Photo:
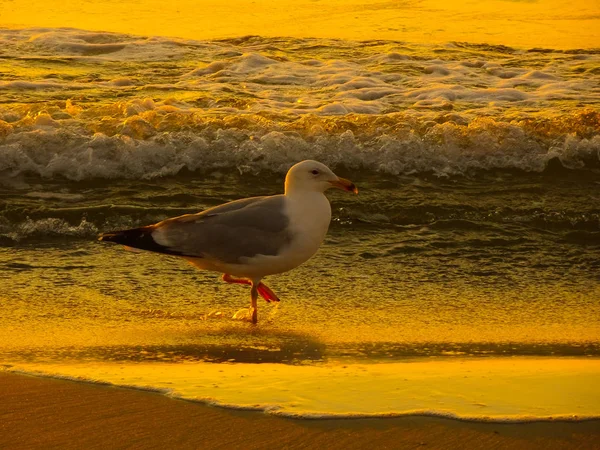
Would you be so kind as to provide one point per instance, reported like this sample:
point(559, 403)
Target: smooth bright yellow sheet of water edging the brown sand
point(481, 390)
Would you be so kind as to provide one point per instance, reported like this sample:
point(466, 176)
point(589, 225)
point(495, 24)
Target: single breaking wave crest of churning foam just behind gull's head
point(391, 144)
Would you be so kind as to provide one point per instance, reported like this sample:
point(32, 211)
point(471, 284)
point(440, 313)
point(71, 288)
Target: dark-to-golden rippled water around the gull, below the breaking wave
point(497, 264)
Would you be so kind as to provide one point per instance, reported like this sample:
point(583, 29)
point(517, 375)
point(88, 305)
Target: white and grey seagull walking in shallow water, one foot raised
point(250, 238)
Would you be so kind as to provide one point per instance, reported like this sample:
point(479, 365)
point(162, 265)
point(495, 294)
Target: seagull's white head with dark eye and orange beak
point(315, 177)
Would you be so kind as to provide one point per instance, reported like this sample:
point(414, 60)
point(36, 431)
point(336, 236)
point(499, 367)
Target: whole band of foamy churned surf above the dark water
point(144, 107)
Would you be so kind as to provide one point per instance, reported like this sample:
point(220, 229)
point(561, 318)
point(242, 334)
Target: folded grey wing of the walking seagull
point(229, 232)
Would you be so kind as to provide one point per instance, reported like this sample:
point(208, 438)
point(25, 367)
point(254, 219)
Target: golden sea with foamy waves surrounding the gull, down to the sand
point(462, 281)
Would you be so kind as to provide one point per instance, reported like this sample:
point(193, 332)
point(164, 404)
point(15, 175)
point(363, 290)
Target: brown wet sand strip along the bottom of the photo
point(52, 413)
